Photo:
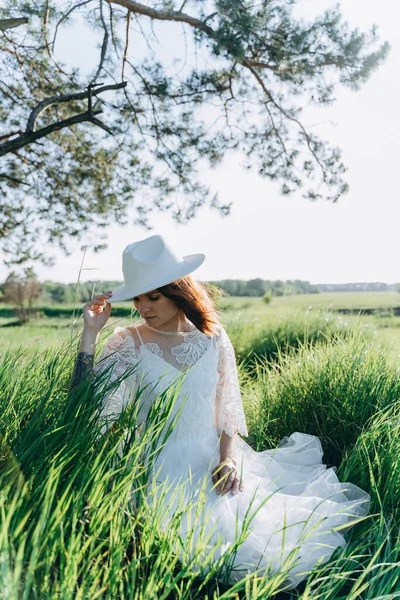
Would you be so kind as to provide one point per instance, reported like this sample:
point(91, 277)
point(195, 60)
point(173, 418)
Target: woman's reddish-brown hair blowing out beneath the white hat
point(196, 300)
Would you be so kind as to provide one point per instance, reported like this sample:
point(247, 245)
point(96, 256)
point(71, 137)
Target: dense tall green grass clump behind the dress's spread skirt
point(330, 390)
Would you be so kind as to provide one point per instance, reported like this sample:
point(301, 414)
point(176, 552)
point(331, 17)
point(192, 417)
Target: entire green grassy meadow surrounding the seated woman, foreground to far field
point(75, 523)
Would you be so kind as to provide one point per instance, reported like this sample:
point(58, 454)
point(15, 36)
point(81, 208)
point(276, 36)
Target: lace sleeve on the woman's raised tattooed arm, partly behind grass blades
point(118, 358)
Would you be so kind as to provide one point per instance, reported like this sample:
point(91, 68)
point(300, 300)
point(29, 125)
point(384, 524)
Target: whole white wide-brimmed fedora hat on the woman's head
point(150, 264)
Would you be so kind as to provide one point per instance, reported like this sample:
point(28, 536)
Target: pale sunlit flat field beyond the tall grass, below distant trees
point(240, 314)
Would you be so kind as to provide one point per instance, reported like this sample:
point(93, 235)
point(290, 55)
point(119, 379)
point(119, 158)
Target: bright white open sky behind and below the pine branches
point(272, 237)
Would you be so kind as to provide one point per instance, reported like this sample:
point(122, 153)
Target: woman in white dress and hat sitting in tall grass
point(296, 504)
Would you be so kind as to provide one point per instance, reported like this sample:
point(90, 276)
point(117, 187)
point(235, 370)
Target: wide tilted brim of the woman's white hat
point(186, 266)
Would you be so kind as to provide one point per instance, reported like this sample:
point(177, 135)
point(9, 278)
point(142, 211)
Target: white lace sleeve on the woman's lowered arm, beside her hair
point(229, 414)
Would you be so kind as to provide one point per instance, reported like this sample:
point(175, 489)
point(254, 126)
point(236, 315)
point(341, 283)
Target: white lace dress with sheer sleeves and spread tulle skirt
point(295, 508)
